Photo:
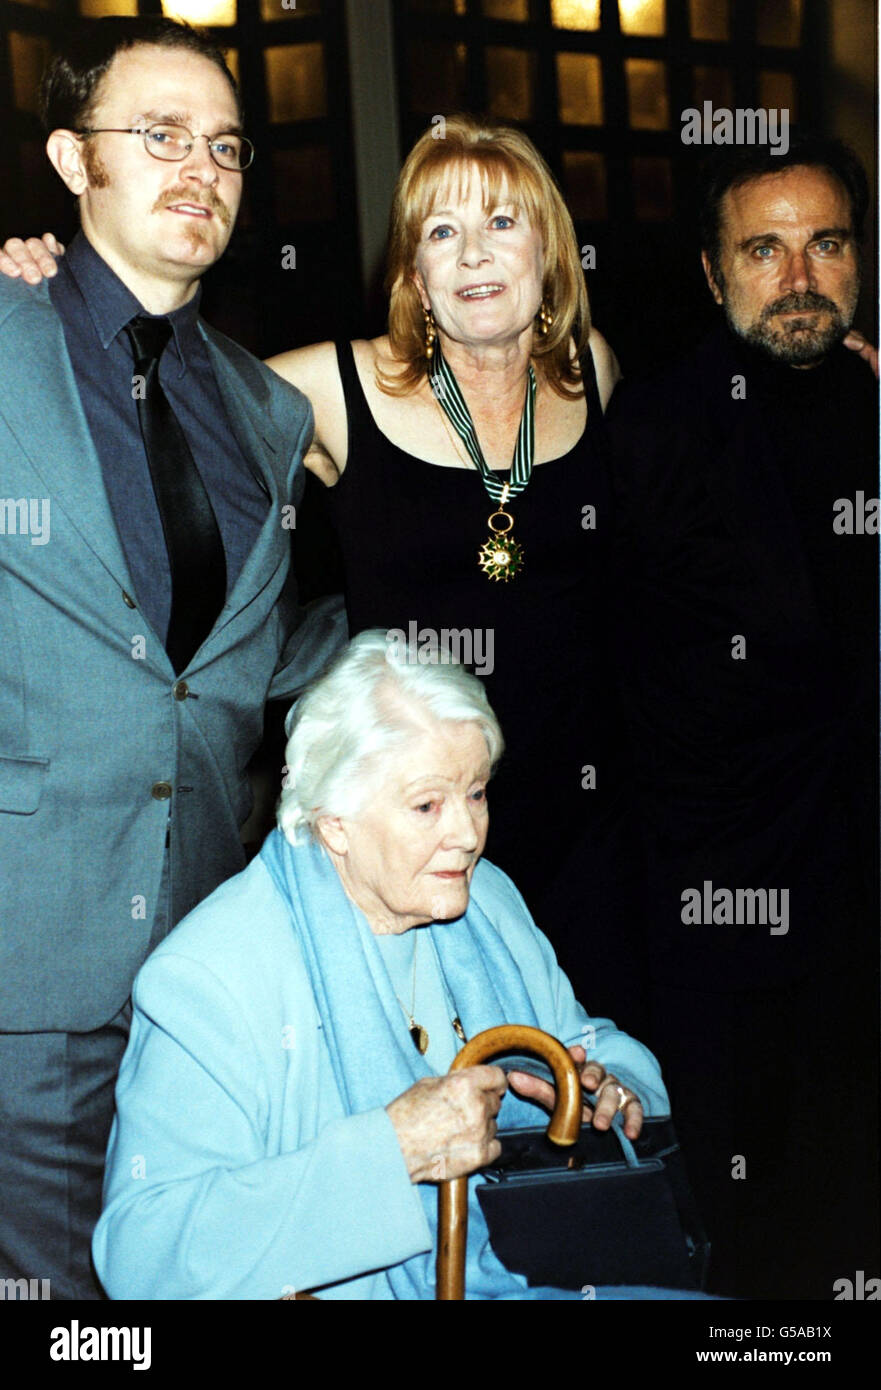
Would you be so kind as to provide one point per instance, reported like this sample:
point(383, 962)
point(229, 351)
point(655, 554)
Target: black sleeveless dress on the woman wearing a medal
point(411, 533)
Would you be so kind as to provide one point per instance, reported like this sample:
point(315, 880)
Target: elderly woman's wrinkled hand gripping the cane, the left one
point(447, 1125)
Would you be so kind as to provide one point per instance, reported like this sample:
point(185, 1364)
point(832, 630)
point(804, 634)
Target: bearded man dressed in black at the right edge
point(747, 487)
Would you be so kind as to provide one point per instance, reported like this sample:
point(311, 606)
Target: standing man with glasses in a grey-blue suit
point(147, 611)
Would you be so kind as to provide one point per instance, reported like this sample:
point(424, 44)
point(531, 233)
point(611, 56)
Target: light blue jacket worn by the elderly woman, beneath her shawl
point(234, 1171)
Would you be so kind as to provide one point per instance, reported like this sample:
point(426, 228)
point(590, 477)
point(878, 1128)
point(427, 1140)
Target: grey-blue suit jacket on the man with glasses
point(92, 717)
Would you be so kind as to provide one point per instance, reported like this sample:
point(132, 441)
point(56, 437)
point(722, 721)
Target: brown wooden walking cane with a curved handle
point(563, 1129)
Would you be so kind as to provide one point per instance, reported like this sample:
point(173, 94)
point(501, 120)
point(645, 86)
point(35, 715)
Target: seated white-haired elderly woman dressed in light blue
point(284, 1109)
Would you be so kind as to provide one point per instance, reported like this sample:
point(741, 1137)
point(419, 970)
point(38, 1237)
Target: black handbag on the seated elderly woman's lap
point(604, 1213)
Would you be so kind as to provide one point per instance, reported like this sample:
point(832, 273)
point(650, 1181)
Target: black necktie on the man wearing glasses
point(192, 537)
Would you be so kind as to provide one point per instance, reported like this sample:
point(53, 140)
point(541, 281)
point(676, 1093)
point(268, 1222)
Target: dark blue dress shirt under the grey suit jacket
point(95, 306)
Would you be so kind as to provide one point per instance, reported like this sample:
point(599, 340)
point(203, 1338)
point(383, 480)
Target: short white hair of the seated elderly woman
point(377, 694)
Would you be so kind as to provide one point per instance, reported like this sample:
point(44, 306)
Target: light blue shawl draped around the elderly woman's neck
point(372, 1054)
